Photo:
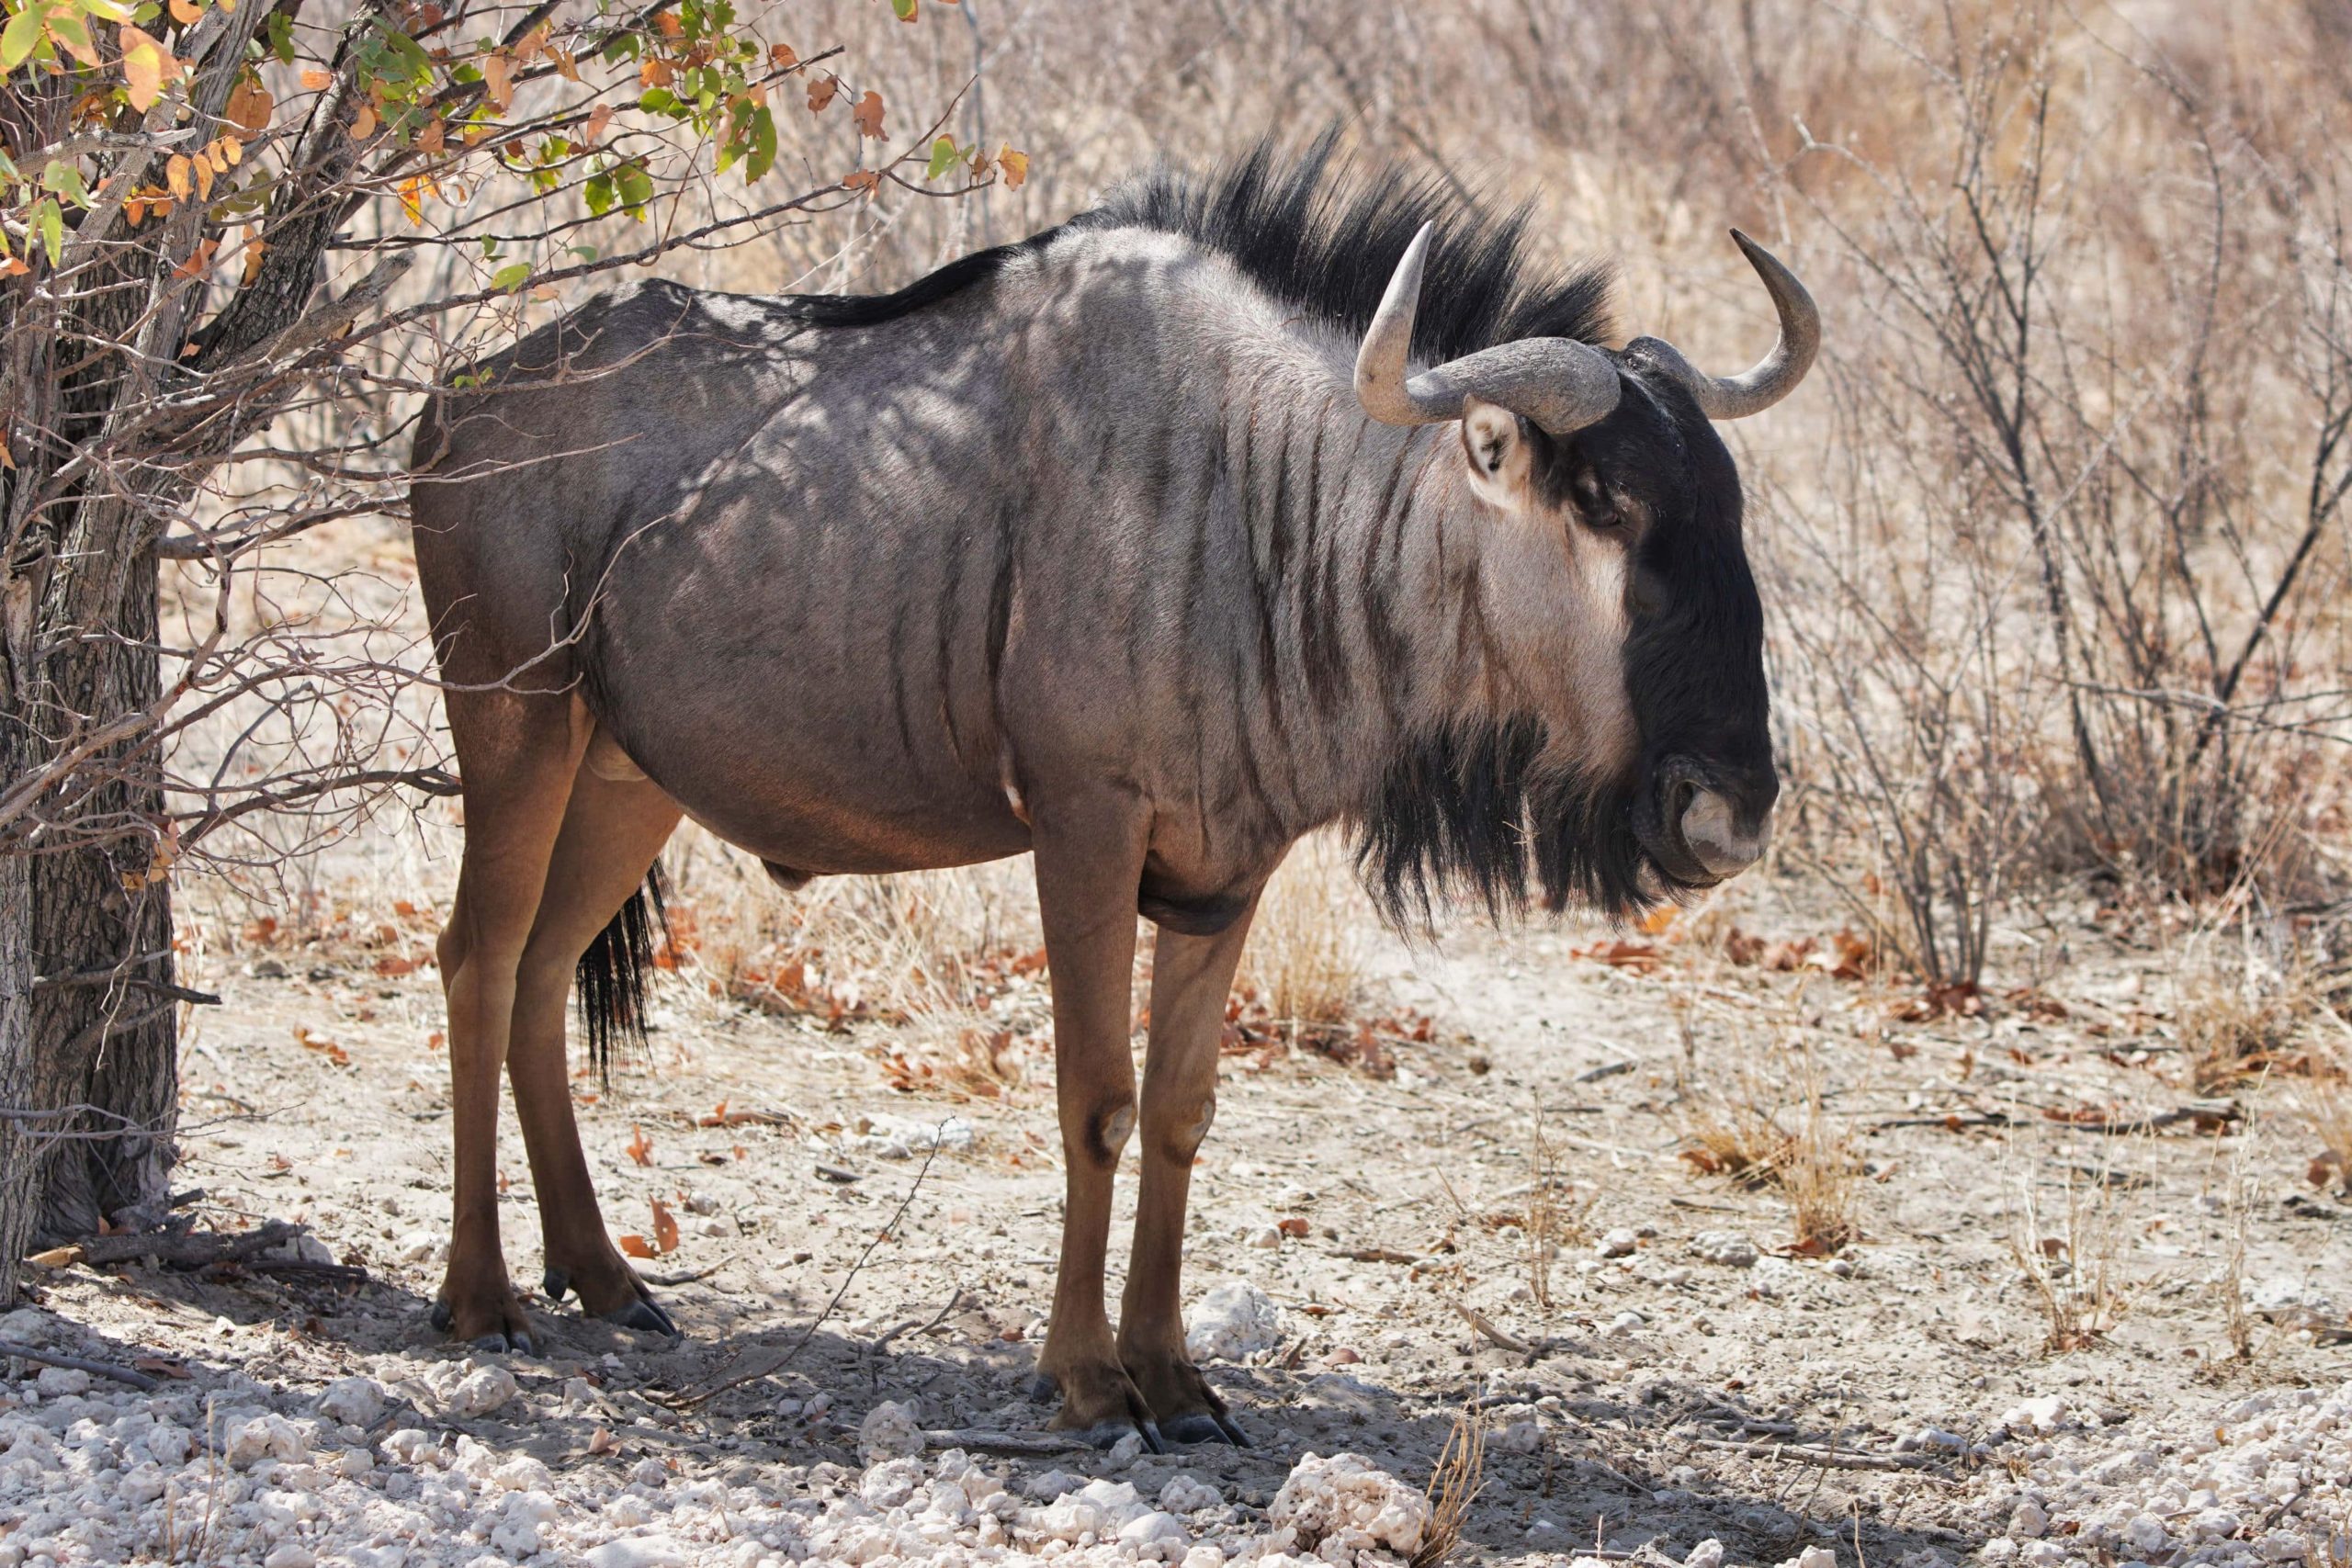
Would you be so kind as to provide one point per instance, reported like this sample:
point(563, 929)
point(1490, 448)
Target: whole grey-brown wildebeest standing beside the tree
point(1137, 547)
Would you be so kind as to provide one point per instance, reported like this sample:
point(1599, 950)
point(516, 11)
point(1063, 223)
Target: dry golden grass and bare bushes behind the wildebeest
point(2054, 542)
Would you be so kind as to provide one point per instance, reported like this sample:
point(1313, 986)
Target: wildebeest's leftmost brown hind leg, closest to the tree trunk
point(516, 758)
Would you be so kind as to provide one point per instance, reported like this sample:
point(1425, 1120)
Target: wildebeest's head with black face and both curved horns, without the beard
point(1619, 455)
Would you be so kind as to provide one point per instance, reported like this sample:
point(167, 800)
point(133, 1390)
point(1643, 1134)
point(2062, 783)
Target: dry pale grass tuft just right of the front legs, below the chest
point(1307, 946)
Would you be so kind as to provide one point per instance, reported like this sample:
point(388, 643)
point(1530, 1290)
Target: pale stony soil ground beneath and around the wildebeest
point(1612, 1423)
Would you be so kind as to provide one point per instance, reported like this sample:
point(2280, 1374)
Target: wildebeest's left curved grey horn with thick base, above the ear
point(1556, 382)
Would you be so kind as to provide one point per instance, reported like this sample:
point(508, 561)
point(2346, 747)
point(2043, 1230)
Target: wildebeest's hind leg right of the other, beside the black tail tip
point(608, 845)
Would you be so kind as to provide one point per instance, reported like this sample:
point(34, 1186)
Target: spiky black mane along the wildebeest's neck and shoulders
point(1323, 239)
